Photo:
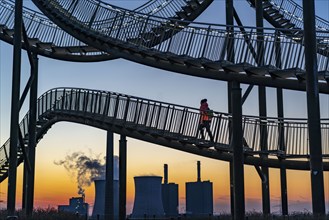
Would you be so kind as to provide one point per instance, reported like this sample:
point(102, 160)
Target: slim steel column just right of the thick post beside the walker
point(262, 105)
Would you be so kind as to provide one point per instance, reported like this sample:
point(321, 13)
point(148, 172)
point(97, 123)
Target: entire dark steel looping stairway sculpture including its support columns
point(283, 57)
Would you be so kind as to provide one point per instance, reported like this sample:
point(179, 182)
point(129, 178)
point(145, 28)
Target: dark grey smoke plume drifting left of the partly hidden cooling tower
point(86, 169)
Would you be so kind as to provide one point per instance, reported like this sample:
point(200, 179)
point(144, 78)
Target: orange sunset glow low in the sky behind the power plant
point(53, 185)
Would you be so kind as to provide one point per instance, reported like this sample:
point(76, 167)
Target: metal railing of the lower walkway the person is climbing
point(284, 137)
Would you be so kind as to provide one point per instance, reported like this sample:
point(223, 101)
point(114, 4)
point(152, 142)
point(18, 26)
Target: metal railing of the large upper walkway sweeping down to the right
point(197, 41)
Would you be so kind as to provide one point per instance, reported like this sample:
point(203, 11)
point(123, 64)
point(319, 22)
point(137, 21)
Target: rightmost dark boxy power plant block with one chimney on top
point(199, 196)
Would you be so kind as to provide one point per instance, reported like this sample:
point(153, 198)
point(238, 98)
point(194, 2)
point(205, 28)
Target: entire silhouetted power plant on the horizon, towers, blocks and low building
point(152, 199)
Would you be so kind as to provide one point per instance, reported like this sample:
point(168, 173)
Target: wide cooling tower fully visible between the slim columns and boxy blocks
point(148, 197)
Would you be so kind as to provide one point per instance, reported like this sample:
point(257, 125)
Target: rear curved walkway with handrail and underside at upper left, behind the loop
point(61, 45)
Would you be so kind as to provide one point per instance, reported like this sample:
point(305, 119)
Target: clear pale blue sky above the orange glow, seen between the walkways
point(135, 79)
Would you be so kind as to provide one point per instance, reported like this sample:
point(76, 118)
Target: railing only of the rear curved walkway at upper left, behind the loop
point(43, 30)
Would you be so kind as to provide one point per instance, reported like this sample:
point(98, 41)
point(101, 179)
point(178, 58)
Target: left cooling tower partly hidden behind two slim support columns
point(99, 204)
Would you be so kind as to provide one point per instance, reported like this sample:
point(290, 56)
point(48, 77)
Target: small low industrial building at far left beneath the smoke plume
point(76, 205)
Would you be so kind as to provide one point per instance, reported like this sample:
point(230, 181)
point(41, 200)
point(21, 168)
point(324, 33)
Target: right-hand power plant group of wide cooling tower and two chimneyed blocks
point(156, 200)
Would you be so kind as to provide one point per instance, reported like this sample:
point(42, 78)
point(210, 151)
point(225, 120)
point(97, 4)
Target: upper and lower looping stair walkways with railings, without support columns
point(162, 34)
